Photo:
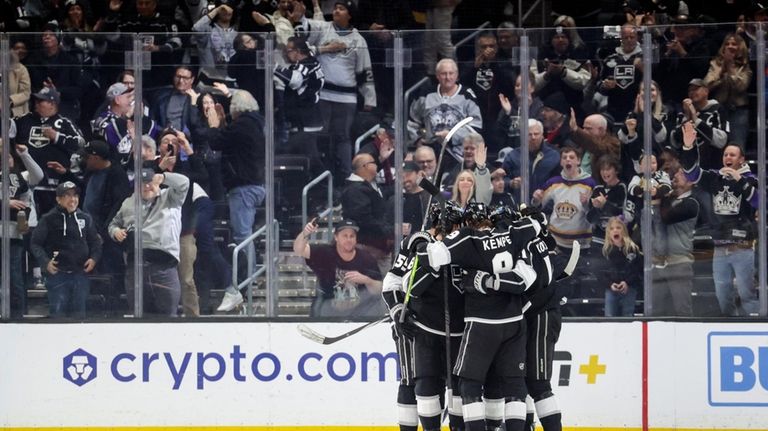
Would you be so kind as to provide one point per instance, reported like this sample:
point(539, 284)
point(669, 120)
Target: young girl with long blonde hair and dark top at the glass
point(621, 272)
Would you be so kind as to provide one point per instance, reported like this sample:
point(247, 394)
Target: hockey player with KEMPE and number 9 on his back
point(494, 334)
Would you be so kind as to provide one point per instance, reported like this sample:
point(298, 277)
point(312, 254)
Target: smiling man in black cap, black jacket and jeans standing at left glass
point(66, 244)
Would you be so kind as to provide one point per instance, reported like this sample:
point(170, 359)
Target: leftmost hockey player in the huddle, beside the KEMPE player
point(426, 295)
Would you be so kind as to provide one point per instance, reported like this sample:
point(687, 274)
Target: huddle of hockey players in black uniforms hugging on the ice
point(476, 314)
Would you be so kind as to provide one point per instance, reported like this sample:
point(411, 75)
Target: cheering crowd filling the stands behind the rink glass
point(74, 111)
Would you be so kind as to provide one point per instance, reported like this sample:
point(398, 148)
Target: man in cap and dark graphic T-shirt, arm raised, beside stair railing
point(348, 278)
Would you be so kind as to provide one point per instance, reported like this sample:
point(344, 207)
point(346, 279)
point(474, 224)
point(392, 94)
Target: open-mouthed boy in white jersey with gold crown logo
point(565, 199)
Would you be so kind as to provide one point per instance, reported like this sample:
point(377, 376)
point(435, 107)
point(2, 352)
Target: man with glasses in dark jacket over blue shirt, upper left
point(173, 106)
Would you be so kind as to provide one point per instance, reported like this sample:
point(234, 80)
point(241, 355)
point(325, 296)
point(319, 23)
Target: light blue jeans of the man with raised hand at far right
point(739, 263)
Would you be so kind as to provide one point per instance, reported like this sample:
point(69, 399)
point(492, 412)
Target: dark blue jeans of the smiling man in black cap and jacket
point(67, 294)
